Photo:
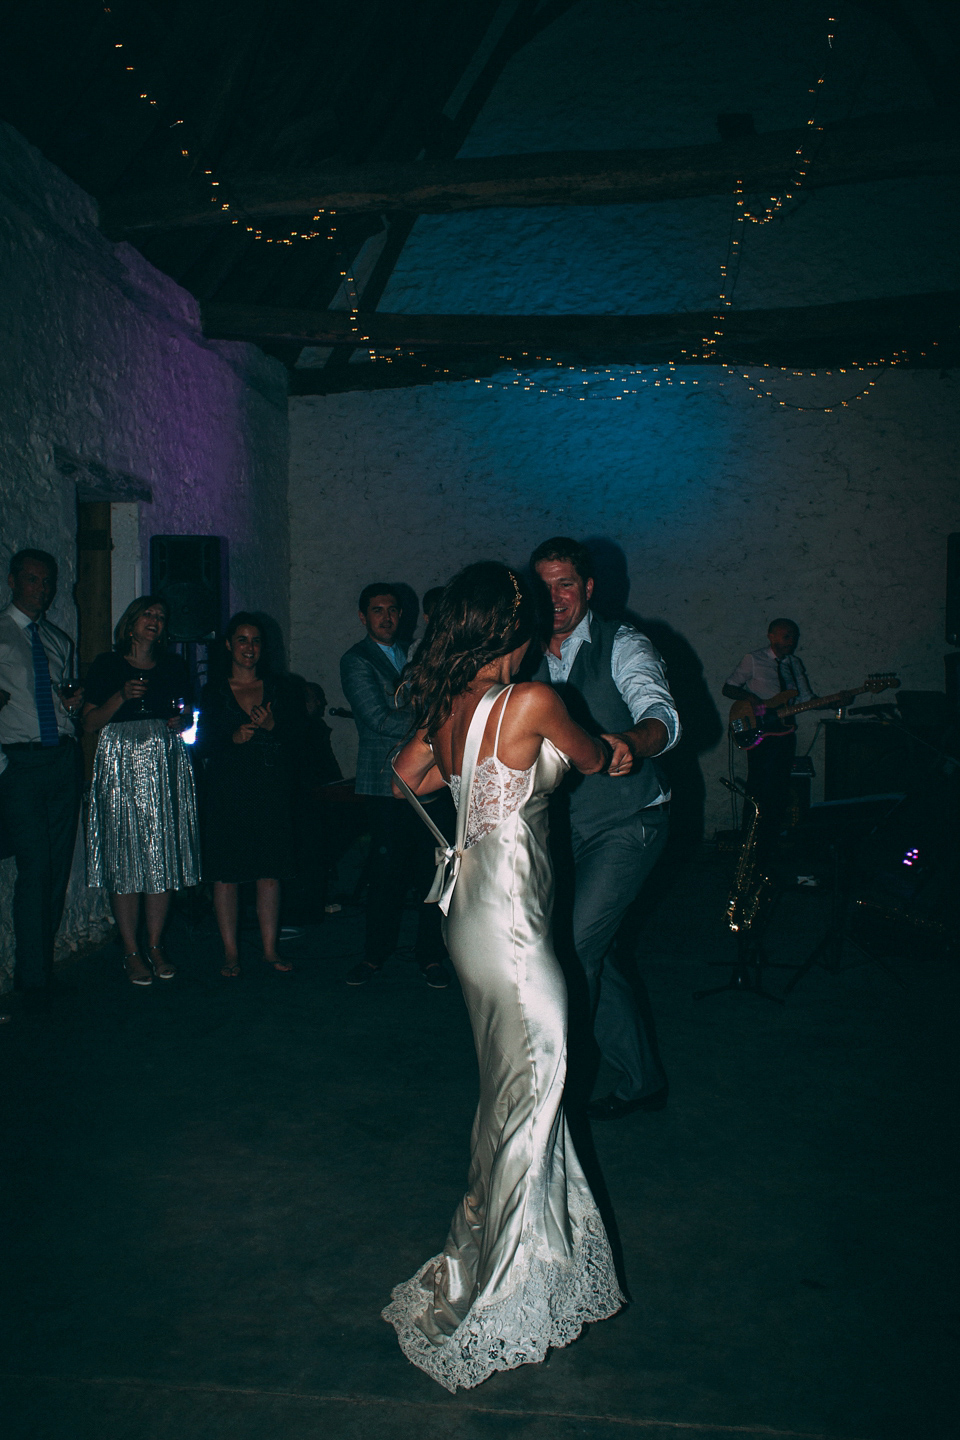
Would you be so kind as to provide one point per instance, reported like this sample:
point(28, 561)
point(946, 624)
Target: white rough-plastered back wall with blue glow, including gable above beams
point(726, 509)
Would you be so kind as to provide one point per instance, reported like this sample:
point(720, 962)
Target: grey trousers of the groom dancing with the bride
point(611, 868)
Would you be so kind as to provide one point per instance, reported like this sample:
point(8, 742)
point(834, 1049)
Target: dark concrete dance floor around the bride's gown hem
point(211, 1189)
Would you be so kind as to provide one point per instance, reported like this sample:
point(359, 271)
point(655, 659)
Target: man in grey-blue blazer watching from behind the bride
point(402, 850)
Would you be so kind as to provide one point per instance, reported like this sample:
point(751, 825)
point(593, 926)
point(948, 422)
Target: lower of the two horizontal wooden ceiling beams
point(851, 332)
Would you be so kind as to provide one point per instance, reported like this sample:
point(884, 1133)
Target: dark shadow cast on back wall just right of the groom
point(699, 716)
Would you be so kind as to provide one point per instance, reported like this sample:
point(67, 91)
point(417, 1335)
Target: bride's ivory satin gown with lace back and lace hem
point(527, 1261)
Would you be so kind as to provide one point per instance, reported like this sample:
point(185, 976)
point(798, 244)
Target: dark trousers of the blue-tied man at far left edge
point(40, 807)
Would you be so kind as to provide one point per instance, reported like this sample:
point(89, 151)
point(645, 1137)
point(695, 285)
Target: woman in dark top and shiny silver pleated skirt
point(142, 829)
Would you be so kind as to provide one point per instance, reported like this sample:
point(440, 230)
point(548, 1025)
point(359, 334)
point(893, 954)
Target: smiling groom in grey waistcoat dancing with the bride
point(612, 680)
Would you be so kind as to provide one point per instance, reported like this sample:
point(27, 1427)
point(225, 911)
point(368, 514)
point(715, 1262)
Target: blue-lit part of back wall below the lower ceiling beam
point(726, 512)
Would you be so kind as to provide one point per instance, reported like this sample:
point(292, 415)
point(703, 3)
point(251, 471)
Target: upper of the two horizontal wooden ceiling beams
point(877, 148)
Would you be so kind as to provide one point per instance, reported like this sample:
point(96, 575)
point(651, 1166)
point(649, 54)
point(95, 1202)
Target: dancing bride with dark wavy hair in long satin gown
point(527, 1261)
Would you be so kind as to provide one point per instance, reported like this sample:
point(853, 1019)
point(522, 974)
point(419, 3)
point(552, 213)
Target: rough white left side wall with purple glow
point(106, 358)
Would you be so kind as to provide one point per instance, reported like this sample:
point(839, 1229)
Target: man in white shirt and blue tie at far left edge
point(41, 771)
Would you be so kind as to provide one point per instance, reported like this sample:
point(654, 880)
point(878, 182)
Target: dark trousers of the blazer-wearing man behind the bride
point(402, 858)
